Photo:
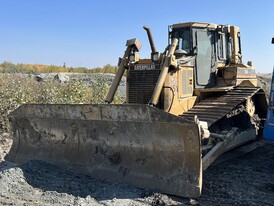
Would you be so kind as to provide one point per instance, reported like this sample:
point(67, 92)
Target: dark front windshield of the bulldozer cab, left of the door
point(183, 35)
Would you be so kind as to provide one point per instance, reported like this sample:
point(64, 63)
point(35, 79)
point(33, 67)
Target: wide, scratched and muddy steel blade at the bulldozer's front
point(136, 144)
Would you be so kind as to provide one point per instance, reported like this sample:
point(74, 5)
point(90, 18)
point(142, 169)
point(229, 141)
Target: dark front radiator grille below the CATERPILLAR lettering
point(141, 84)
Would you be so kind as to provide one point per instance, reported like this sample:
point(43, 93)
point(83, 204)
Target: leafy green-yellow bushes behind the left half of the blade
point(18, 89)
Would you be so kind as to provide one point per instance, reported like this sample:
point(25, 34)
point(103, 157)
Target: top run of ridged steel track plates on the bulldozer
point(215, 108)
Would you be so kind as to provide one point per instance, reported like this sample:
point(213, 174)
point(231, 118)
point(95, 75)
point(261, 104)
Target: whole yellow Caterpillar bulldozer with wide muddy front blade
point(184, 107)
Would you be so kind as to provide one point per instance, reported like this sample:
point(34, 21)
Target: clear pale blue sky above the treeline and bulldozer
point(93, 33)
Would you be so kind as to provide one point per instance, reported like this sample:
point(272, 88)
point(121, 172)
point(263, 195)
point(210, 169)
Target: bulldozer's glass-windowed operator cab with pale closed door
point(205, 47)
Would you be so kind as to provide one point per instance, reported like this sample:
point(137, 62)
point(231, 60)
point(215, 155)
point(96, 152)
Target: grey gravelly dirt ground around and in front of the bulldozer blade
point(246, 179)
